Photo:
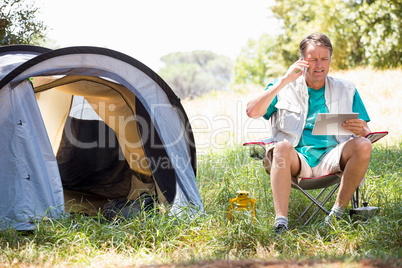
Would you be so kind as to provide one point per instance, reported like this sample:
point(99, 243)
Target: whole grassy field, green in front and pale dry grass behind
point(224, 166)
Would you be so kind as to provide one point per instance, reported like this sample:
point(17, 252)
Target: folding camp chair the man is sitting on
point(258, 149)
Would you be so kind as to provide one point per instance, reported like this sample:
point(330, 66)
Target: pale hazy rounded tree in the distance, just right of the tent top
point(192, 74)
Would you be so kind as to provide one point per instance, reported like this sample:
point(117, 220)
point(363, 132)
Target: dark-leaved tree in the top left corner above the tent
point(18, 24)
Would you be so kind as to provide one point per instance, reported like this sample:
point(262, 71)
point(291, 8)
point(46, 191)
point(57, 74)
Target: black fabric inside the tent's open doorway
point(97, 169)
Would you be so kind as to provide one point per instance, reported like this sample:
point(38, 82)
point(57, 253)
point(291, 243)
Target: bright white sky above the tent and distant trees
point(149, 29)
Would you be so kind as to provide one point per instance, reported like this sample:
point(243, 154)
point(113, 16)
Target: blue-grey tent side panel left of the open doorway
point(29, 172)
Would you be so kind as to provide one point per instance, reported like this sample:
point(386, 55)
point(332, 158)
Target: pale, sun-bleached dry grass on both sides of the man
point(219, 118)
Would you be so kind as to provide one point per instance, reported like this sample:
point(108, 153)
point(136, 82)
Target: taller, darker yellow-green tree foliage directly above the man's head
point(362, 32)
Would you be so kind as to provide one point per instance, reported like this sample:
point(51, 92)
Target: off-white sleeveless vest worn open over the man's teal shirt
point(292, 107)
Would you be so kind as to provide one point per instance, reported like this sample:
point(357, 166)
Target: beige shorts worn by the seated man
point(329, 164)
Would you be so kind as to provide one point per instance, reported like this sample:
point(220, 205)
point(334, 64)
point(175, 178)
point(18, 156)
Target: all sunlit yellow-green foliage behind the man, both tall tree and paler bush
point(363, 33)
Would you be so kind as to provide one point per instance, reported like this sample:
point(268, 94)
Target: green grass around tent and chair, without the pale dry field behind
point(156, 238)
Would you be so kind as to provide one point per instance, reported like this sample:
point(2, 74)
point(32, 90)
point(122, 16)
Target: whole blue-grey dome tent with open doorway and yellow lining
point(81, 126)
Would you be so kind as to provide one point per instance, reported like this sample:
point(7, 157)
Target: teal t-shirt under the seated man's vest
point(314, 147)
